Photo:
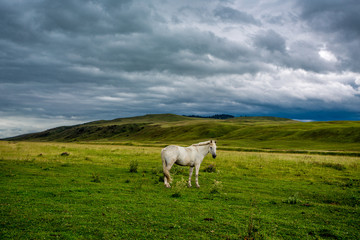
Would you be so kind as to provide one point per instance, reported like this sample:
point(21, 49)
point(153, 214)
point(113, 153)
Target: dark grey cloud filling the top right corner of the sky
point(339, 22)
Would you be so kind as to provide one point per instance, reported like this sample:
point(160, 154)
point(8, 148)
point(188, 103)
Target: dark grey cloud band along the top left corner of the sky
point(34, 19)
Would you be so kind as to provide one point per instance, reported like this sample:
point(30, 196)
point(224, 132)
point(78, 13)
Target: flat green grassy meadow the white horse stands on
point(54, 190)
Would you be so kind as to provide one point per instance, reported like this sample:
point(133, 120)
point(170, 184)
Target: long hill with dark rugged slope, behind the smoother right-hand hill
point(150, 127)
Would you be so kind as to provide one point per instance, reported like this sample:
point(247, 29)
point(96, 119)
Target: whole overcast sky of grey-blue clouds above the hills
point(67, 62)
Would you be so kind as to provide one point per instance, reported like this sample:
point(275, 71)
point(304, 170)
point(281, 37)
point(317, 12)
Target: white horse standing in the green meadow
point(191, 156)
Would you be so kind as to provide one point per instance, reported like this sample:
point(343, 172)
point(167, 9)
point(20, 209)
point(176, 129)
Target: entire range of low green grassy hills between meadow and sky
point(239, 133)
